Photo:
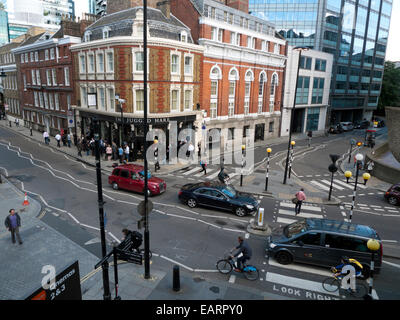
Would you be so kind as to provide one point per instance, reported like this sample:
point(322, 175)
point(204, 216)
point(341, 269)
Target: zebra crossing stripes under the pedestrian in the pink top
point(284, 212)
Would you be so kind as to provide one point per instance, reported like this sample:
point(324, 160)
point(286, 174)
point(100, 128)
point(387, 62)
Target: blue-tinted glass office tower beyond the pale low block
point(355, 32)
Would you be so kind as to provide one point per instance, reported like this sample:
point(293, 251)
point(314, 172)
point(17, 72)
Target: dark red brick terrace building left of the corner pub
point(44, 65)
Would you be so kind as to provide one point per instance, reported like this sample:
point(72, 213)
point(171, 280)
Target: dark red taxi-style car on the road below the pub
point(131, 177)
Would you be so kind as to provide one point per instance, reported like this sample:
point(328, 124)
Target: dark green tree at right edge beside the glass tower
point(390, 94)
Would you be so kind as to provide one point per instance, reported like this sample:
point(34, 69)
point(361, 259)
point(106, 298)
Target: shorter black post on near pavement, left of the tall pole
point(106, 283)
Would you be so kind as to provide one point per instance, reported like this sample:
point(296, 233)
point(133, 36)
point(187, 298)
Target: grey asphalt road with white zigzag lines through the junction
point(194, 238)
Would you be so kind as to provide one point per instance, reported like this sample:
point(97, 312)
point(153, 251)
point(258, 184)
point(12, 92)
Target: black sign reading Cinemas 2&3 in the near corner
point(67, 286)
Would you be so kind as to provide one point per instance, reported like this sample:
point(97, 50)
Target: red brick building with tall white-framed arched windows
point(243, 68)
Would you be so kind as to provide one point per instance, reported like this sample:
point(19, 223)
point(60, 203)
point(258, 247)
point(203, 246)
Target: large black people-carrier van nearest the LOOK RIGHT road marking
point(323, 242)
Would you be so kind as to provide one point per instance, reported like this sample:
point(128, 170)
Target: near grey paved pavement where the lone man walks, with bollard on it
point(21, 267)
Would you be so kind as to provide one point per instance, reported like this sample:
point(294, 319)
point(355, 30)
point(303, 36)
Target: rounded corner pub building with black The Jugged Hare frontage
point(109, 64)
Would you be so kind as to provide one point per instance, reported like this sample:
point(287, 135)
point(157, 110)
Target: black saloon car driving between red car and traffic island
point(218, 195)
